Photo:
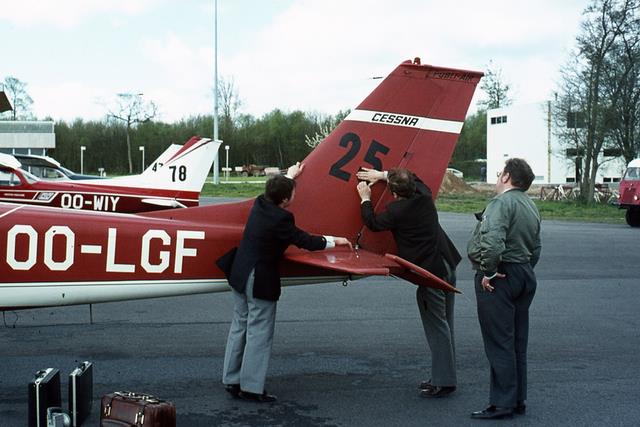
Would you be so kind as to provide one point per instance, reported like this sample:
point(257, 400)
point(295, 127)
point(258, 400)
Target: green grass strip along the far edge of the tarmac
point(563, 210)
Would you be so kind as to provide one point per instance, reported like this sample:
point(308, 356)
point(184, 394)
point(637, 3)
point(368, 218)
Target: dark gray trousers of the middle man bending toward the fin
point(436, 310)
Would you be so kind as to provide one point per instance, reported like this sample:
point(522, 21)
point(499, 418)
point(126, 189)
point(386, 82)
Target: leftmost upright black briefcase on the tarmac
point(44, 392)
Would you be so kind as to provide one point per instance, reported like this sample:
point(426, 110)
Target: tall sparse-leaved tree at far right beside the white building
point(593, 85)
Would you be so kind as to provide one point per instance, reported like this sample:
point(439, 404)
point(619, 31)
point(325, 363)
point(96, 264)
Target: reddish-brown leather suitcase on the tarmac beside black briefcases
point(127, 409)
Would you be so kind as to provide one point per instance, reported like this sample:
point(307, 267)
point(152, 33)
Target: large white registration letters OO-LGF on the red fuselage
point(26, 248)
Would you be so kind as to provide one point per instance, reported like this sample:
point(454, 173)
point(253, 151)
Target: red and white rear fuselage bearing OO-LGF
point(44, 260)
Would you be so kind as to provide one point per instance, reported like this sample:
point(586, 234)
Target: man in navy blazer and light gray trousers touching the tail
point(255, 280)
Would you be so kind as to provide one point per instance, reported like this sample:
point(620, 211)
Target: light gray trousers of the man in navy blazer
point(248, 350)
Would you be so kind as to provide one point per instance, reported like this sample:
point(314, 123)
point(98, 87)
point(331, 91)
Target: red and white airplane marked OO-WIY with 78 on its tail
point(175, 179)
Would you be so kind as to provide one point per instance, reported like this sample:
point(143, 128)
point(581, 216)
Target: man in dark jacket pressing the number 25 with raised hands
point(413, 220)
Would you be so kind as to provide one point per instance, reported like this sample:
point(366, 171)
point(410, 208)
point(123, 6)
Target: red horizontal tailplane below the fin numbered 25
point(364, 263)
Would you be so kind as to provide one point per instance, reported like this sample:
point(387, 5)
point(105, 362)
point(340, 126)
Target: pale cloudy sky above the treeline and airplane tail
point(312, 55)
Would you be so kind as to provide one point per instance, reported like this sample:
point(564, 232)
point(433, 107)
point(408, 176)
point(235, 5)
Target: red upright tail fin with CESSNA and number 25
point(411, 120)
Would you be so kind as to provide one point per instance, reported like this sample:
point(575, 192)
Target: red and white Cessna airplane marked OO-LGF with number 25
point(412, 119)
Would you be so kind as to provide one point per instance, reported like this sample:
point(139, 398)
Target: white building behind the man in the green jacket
point(527, 131)
